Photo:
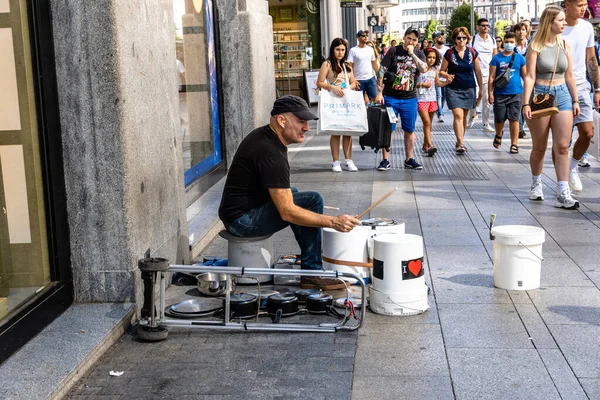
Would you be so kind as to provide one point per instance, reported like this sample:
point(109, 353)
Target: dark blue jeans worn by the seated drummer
point(265, 220)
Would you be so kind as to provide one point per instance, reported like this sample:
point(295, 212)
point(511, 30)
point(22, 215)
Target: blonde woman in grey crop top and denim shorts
point(542, 55)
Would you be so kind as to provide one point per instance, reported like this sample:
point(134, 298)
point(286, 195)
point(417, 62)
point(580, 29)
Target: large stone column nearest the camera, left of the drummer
point(117, 85)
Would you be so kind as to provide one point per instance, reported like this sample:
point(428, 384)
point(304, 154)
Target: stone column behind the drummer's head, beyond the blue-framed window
point(247, 68)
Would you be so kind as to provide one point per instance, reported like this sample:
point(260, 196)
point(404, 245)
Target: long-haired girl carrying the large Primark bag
point(332, 77)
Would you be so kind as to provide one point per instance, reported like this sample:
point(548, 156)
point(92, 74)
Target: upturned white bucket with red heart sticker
point(398, 277)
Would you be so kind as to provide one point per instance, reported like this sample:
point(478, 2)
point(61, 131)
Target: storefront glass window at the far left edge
point(24, 265)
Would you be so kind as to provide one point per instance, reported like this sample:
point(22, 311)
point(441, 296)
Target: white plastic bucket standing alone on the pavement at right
point(517, 256)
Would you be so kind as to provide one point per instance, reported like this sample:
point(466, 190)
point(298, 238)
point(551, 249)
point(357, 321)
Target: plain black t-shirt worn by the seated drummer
point(259, 164)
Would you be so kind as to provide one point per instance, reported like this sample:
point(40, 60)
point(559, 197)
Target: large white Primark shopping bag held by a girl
point(345, 115)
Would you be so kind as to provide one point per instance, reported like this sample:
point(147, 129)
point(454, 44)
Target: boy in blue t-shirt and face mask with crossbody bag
point(506, 92)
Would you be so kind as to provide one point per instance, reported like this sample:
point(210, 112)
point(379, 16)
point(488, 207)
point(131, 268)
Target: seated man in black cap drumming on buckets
point(258, 199)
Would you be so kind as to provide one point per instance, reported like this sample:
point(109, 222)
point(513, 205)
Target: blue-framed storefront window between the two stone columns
point(197, 84)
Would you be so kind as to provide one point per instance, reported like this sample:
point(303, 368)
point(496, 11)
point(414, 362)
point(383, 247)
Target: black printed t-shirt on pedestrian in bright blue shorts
point(400, 80)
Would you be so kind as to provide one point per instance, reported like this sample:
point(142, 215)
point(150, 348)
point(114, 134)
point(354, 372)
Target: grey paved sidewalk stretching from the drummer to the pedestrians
point(475, 342)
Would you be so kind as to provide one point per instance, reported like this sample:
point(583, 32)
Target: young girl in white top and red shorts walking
point(427, 83)
